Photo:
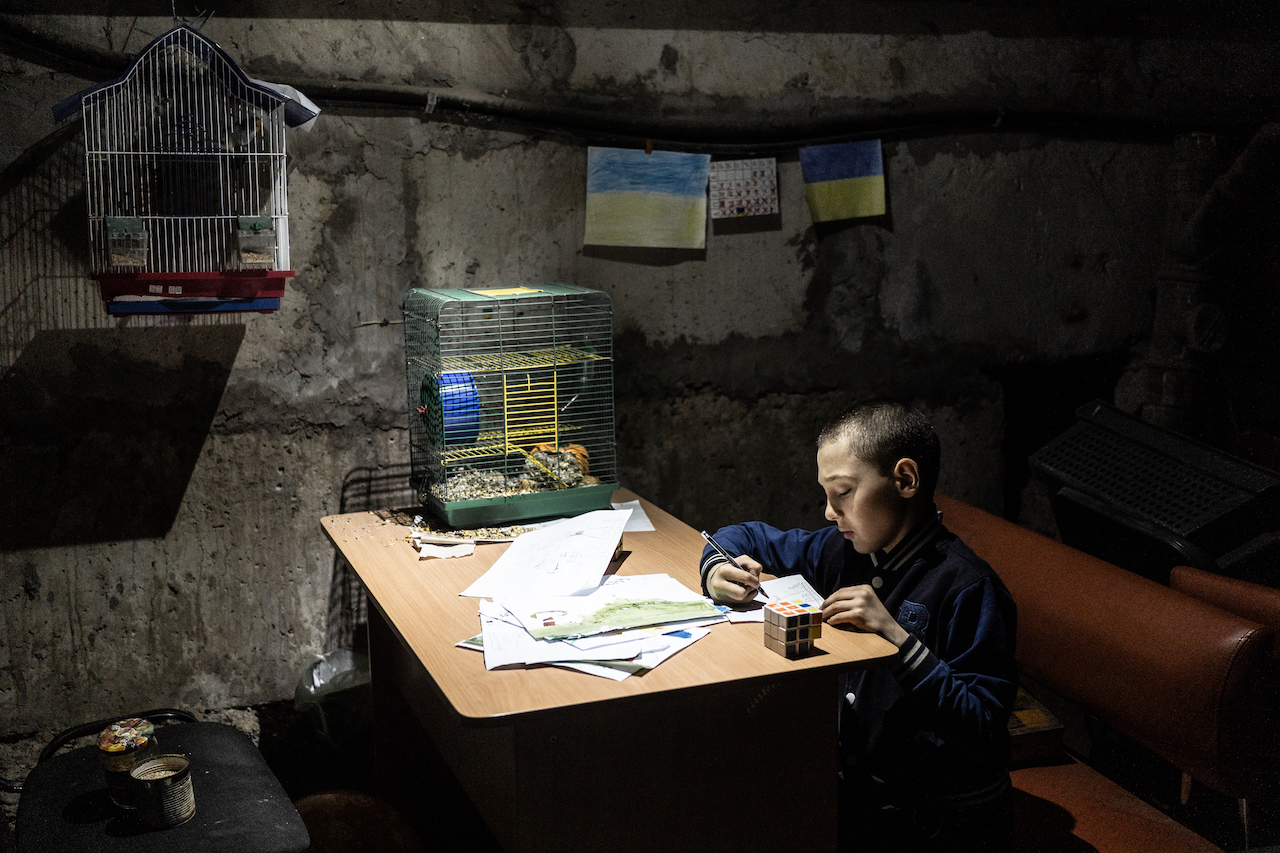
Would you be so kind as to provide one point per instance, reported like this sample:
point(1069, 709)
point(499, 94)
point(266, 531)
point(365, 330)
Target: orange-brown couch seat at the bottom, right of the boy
point(1067, 806)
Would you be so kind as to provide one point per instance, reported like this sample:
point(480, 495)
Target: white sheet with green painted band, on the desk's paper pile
point(621, 601)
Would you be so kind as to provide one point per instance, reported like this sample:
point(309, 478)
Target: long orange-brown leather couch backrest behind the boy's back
point(1173, 673)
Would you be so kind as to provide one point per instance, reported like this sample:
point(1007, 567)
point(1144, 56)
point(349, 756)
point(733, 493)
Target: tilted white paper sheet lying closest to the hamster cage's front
point(564, 559)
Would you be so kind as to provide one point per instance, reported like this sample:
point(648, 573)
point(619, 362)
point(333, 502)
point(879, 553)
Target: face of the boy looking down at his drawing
point(870, 508)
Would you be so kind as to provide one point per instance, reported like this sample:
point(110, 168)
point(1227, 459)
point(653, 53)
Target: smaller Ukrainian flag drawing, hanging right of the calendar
point(844, 181)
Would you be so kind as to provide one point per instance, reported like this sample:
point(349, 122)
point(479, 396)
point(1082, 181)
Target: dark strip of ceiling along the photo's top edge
point(1235, 20)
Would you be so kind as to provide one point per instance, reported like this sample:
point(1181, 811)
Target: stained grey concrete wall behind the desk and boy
point(1025, 244)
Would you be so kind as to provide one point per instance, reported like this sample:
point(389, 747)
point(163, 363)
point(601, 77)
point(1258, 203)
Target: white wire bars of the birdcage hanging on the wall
point(185, 148)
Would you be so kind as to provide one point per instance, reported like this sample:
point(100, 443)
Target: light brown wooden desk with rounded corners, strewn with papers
point(726, 746)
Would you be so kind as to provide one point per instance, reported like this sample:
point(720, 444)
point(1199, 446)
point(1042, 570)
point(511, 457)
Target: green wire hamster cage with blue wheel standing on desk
point(511, 402)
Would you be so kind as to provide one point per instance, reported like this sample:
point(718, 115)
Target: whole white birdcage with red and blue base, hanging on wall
point(186, 181)
